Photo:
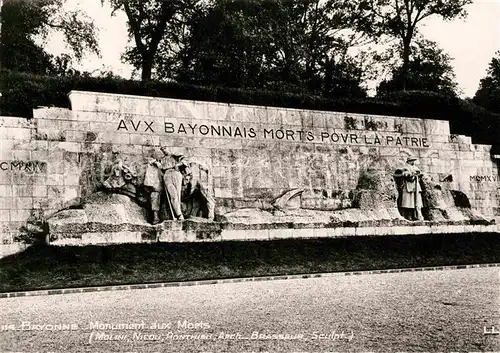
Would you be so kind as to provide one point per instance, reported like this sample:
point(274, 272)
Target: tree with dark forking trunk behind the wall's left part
point(152, 25)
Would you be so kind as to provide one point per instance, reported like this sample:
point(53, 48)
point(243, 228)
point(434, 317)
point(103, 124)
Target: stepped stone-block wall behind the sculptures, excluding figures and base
point(248, 157)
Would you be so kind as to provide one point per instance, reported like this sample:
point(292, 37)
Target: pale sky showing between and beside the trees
point(471, 42)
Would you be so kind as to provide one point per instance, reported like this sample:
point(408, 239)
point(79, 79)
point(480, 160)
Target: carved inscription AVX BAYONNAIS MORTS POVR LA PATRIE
point(209, 130)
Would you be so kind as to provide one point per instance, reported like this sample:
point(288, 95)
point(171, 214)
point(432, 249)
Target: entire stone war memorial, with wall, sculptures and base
point(131, 169)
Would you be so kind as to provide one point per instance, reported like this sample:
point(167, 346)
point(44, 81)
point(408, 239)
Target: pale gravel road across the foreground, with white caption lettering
point(412, 311)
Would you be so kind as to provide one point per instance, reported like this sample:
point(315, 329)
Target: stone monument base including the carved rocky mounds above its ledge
point(112, 218)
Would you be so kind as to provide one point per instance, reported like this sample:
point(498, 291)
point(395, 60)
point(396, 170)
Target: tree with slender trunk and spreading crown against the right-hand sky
point(400, 19)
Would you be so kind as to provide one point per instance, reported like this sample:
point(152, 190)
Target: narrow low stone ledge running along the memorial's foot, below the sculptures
point(194, 231)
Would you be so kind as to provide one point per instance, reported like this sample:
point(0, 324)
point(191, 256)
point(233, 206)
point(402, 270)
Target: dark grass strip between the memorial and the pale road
point(44, 267)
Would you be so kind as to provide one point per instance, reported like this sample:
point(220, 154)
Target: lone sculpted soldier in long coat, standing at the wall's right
point(411, 191)
